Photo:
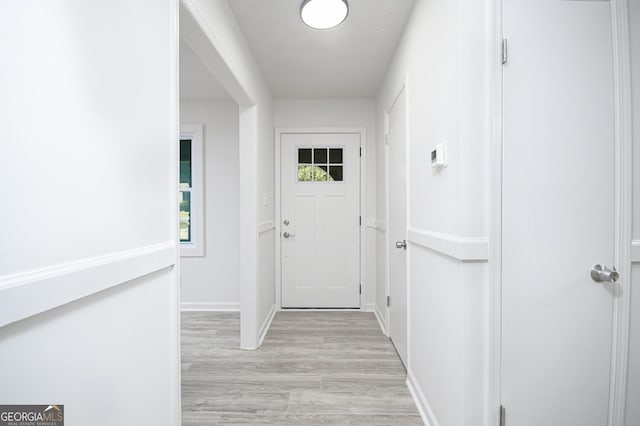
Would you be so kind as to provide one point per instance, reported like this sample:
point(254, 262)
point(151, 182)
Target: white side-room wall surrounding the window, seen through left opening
point(213, 281)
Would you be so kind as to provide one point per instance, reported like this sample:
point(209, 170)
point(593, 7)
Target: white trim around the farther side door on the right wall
point(403, 87)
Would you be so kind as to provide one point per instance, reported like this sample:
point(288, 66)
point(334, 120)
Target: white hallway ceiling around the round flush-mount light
point(348, 61)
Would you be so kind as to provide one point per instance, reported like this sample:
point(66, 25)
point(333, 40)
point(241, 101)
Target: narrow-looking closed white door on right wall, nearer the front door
point(397, 225)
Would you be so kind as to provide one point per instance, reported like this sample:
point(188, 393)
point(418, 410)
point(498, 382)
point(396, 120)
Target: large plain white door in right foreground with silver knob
point(558, 212)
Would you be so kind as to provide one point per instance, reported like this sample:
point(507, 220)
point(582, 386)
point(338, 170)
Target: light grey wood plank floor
point(314, 368)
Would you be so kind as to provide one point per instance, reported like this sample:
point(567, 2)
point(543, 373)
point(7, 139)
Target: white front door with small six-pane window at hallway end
point(320, 213)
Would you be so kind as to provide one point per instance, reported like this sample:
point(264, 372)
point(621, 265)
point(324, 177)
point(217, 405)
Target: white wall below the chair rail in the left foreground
point(110, 349)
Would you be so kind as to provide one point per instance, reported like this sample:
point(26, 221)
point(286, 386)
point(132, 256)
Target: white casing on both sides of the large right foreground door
point(622, 211)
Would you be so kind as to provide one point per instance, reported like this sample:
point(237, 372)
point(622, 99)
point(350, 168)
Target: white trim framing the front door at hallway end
point(363, 191)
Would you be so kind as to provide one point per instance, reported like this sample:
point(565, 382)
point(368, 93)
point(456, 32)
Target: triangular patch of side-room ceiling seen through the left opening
point(196, 82)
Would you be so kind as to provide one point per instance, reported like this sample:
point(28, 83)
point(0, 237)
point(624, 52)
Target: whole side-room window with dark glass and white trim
point(191, 191)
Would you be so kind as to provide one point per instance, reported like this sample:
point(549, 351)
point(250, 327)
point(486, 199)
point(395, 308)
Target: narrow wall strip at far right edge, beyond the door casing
point(633, 396)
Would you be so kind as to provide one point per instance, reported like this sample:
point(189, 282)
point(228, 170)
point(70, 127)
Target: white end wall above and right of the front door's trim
point(354, 113)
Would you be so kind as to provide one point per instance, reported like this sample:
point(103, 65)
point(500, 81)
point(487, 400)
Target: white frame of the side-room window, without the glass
point(195, 247)
